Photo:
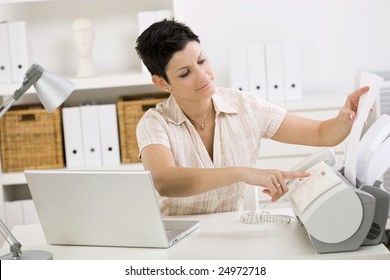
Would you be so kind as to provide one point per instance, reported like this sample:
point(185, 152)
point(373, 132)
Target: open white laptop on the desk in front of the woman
point(102, 208)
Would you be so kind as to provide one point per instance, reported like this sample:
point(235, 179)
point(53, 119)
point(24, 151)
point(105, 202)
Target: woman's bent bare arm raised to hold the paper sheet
point(299, 130)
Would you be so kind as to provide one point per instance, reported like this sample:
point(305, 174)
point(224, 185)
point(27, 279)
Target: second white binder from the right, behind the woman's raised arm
point(274, 64)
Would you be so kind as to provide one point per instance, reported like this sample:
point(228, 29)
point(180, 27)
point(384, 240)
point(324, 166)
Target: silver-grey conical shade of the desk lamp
point(53, 90)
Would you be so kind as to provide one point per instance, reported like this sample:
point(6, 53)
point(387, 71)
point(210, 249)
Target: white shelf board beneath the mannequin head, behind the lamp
point(98, 82)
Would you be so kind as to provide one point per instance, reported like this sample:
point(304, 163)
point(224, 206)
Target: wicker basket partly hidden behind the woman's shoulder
point(130, 111)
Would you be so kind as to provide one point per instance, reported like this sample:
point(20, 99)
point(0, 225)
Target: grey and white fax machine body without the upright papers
point(338, 216)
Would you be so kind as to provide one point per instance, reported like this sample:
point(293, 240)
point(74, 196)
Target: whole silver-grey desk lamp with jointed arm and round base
point(52, 91)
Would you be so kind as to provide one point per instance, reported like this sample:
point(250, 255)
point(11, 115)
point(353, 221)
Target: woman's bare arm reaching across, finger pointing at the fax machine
point(173, 181)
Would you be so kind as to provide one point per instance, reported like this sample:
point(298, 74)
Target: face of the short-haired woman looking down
point(190, 73)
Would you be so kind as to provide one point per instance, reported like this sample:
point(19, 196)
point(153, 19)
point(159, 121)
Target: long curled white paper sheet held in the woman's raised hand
point(366, 101)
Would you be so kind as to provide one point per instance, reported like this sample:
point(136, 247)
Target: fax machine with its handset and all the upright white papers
point(342, 210)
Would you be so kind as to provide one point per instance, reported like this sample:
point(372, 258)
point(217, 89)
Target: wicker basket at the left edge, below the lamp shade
point(31, 138)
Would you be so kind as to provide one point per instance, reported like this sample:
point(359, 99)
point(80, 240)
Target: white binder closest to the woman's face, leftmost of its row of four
point(239, 78)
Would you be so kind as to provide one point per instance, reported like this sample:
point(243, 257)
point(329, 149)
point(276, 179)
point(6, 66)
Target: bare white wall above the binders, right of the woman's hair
point(339, 38)
